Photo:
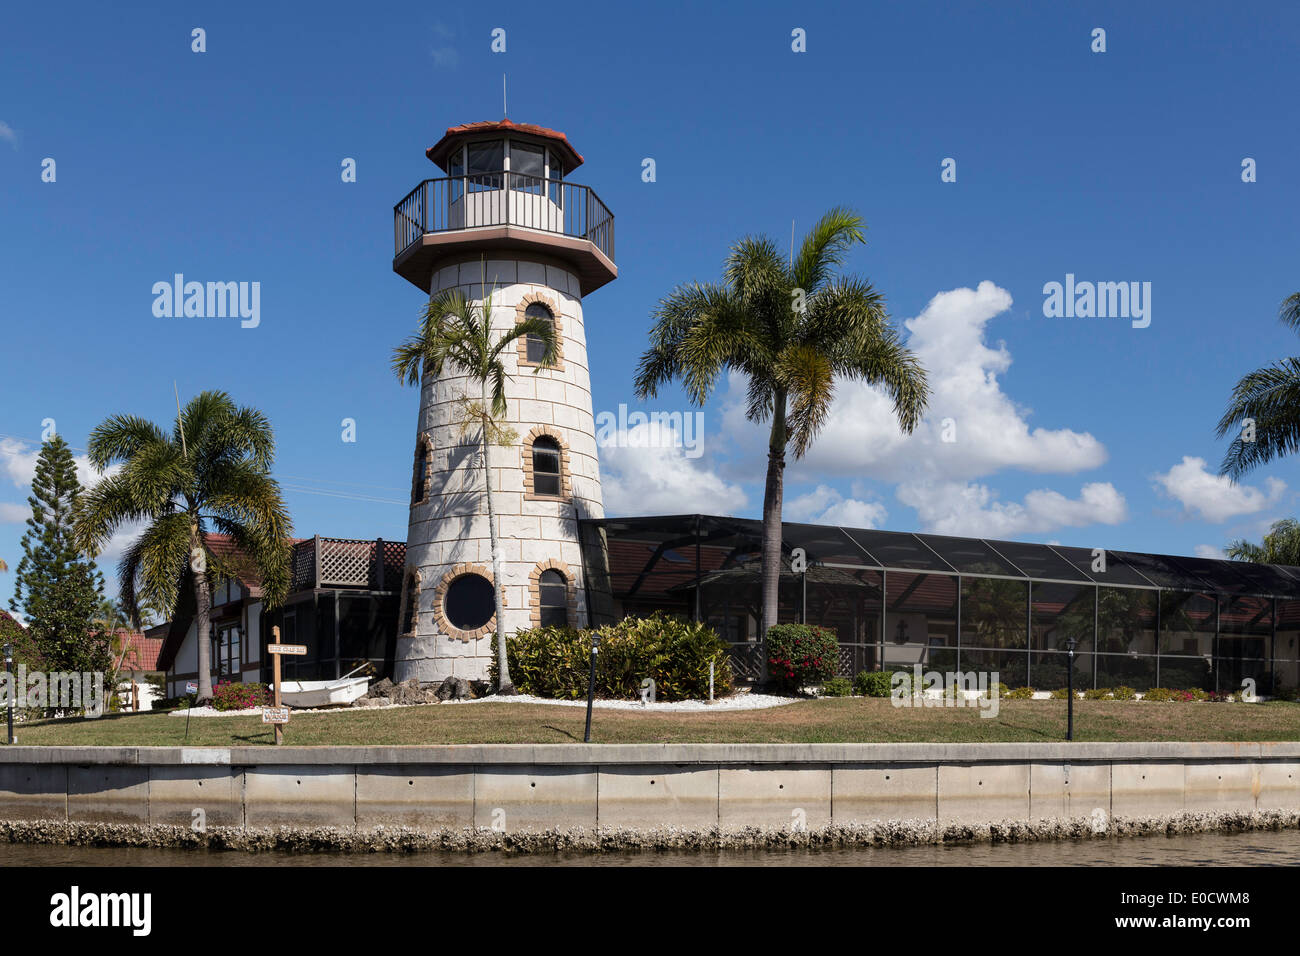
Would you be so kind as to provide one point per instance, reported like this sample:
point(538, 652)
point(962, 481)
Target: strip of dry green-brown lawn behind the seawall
point(856, 720)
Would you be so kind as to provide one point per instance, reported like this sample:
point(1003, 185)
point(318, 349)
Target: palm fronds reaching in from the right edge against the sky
point(1271, 399)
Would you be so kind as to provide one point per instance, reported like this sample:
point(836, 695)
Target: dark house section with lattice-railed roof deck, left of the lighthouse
point(343, 605)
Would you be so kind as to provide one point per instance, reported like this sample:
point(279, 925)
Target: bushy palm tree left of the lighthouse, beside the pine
point(213, 471)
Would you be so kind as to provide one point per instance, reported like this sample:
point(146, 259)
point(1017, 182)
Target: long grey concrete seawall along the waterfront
point(720, 789)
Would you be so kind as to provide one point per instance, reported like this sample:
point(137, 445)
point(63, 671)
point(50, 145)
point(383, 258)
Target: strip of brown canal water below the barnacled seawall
point(1260, 849)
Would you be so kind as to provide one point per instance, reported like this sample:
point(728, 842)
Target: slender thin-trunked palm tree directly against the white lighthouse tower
point(457, 331)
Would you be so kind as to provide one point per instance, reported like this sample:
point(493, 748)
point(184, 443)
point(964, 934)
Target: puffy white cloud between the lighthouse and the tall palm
point(645, 471)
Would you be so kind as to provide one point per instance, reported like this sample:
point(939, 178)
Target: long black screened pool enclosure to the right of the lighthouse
point(896, 600)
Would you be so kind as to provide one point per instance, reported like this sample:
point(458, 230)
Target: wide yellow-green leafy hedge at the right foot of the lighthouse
point(554, 663)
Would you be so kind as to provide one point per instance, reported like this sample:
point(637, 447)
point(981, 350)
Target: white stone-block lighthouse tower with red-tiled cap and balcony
point(504, 219)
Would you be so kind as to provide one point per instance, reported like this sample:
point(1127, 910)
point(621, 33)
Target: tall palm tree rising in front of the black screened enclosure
point(794, 330)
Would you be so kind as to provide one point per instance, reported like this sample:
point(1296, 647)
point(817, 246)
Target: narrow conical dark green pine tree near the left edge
point(58, 589)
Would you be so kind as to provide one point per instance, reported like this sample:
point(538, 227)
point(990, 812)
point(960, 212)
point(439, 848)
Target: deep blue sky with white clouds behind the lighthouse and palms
point(1124, 166)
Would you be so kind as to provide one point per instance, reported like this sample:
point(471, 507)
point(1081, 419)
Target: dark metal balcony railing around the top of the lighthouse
point(504, 198)
